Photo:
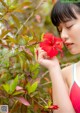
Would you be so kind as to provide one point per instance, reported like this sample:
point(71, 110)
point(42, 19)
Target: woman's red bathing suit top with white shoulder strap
point(75, 92)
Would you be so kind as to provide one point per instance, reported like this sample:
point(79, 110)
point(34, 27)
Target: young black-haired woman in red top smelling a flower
point(65, 82)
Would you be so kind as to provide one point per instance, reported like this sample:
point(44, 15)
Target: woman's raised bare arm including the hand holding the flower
point(59, 90)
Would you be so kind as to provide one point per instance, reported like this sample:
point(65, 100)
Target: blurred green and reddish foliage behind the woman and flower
point(24, 85)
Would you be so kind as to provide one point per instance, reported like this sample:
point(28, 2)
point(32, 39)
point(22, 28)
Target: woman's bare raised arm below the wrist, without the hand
point(60, 91)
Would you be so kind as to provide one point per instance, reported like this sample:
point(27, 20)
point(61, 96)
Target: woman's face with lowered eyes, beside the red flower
point(70, 33)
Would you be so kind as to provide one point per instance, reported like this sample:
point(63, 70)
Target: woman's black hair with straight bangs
point(61, 12)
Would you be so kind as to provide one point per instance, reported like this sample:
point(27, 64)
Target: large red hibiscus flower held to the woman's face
point(51, 44)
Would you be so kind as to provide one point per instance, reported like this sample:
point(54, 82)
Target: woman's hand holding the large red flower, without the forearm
point(45, 61)
